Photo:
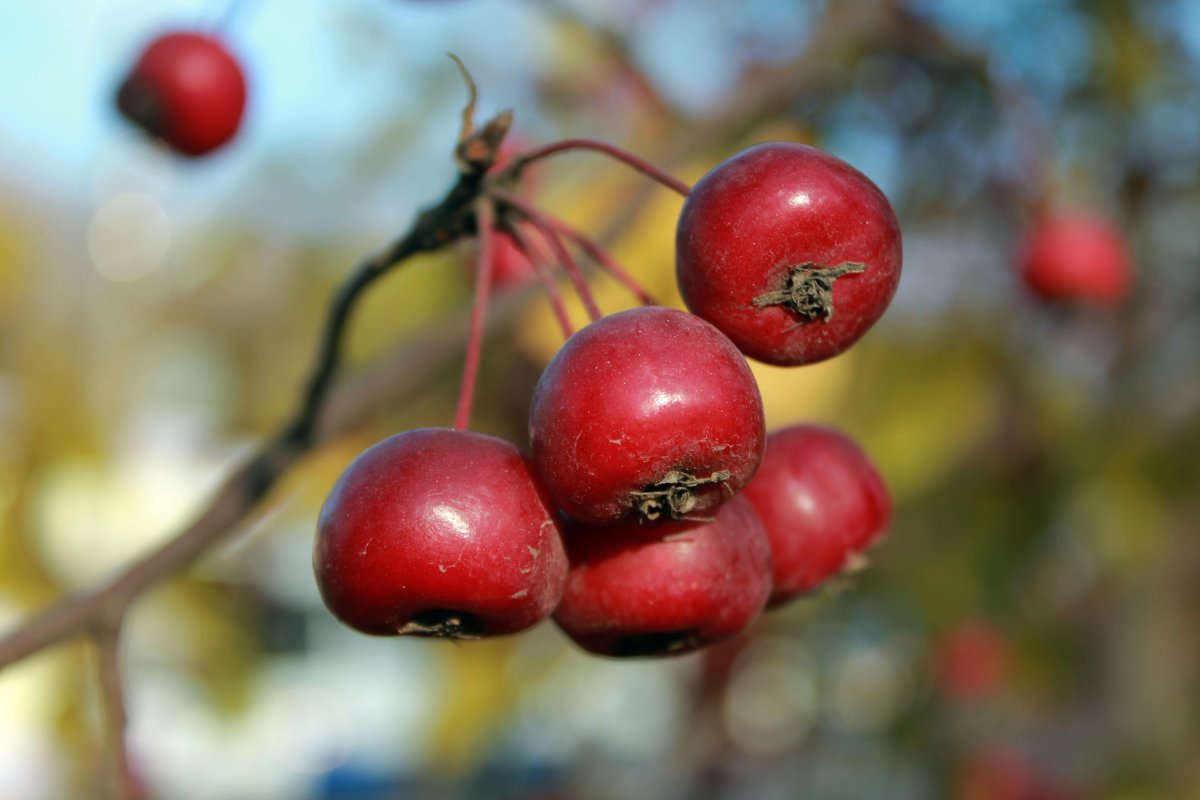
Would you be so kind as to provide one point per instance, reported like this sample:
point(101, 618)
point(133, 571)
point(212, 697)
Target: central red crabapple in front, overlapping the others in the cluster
point(650, 413)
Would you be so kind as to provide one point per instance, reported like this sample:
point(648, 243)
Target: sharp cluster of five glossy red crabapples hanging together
point(653, 514)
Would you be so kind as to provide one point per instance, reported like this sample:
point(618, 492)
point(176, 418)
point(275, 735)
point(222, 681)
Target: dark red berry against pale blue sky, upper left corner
point(188, 91)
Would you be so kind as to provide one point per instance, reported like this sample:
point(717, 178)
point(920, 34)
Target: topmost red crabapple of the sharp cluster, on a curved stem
point(790, 251)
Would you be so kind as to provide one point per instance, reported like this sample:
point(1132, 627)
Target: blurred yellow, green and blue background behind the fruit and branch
point(1030, 630)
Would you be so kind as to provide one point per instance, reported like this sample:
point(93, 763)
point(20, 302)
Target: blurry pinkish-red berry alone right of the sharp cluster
point(1076, 257)
